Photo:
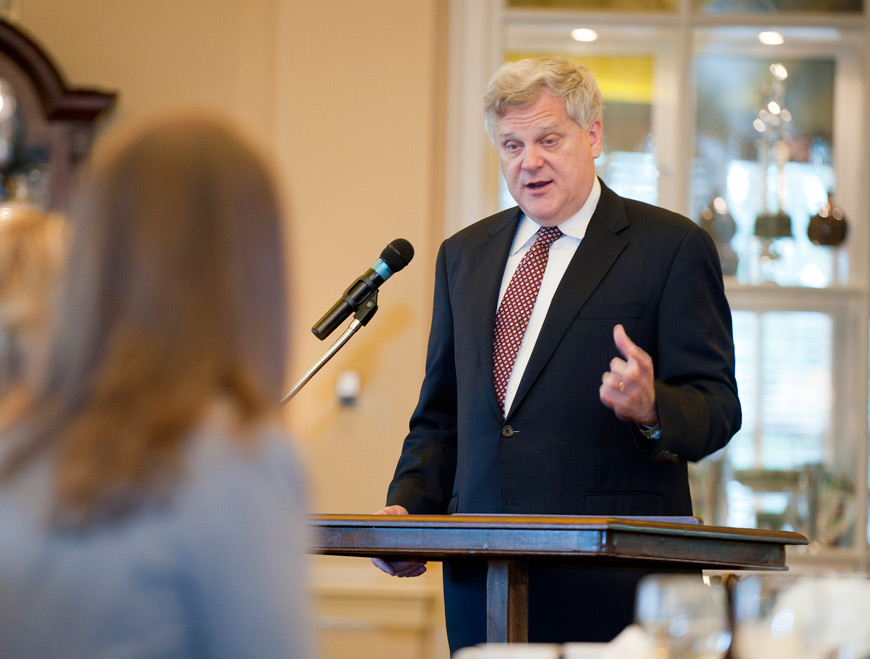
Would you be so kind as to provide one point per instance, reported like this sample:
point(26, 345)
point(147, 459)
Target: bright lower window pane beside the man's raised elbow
point(778, 472)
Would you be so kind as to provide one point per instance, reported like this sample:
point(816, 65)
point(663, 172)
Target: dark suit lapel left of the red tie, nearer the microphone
point(489, 262)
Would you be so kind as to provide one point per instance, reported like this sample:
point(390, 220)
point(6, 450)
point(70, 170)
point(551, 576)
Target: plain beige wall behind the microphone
point(349, 97)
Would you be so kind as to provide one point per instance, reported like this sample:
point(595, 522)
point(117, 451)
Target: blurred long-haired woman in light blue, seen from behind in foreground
point(150, 503)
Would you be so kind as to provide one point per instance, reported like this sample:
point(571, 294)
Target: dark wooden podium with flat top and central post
point(509, 543)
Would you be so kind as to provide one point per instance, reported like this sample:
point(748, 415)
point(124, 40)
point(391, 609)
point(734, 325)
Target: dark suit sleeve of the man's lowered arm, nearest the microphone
point(423, 481)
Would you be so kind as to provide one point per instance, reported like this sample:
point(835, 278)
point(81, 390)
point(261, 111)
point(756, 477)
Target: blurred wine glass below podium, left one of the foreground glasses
point(686, 617)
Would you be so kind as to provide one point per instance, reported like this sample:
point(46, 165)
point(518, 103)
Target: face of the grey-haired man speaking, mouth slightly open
point(547, 159)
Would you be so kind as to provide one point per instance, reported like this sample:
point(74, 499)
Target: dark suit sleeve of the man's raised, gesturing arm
point(696, 391)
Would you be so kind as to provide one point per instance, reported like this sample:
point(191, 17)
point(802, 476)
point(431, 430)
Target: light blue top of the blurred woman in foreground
point(218, 572)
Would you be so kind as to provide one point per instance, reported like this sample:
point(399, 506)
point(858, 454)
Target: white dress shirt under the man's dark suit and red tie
point(561, 253)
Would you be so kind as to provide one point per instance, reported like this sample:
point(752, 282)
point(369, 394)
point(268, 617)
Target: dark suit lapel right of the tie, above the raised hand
point(595, 255)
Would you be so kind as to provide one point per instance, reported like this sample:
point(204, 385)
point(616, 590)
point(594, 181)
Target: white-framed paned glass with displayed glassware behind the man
point(765, 146)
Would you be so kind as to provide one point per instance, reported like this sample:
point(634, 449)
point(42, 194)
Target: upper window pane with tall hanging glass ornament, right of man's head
point(764, 146)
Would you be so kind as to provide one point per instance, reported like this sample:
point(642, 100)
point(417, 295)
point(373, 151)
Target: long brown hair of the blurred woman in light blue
point(174, 293)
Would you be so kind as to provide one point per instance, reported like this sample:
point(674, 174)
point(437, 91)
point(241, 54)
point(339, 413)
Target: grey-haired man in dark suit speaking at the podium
point(624, 369)
